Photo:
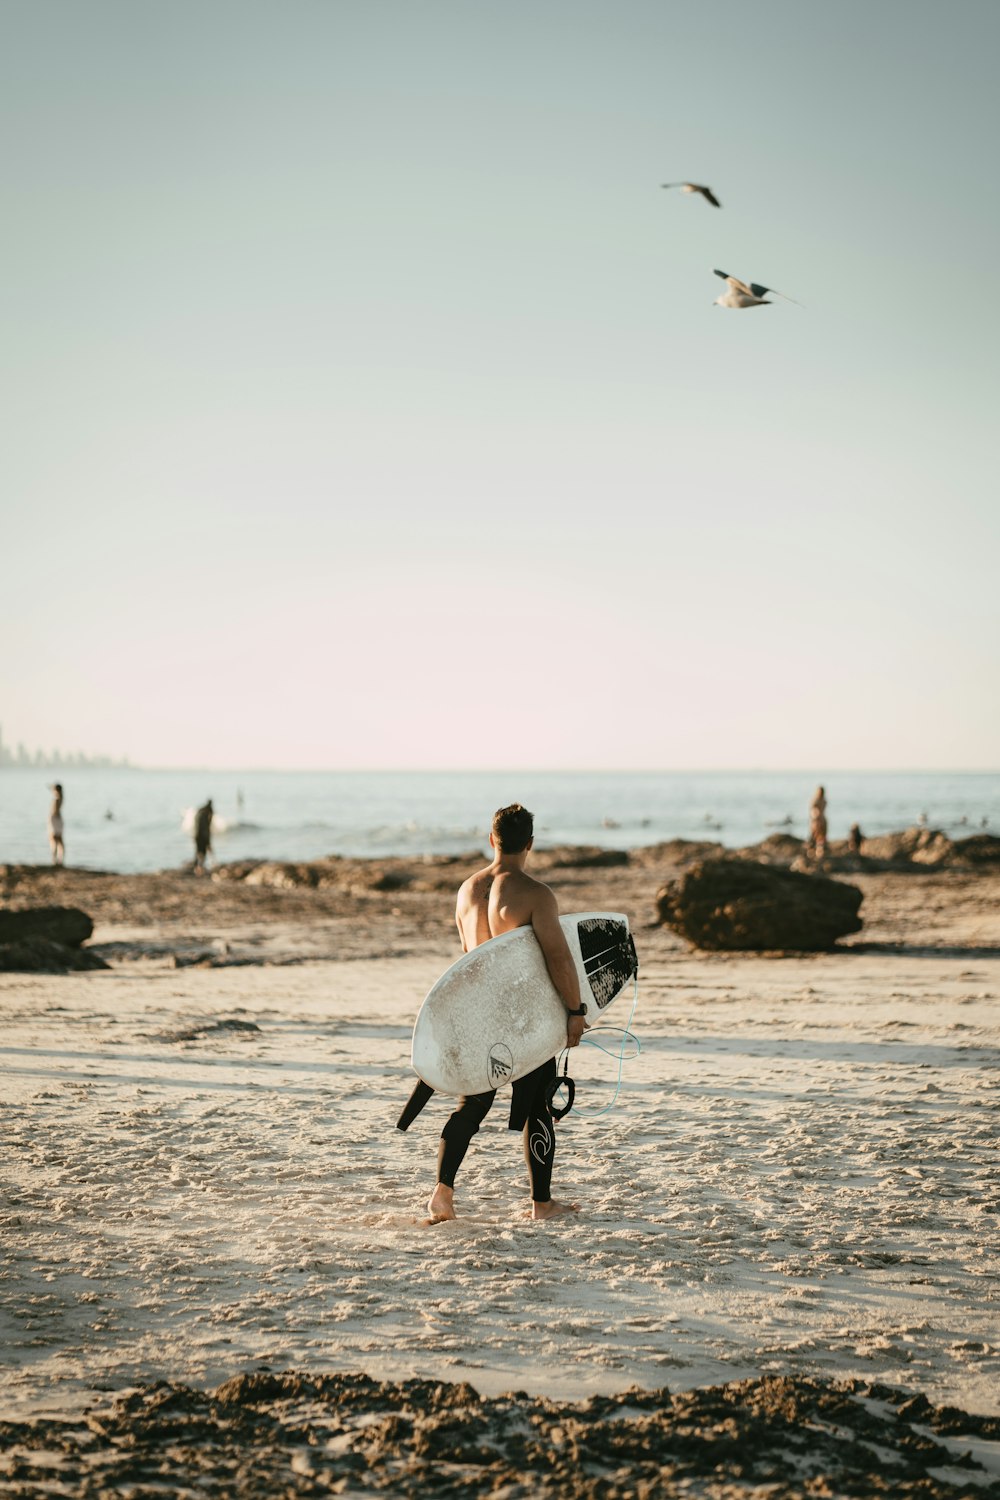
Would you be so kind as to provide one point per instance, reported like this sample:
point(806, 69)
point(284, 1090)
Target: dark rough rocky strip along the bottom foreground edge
point(266, 1435)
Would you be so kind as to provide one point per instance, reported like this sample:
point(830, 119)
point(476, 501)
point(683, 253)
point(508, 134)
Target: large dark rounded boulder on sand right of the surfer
point(741, 905)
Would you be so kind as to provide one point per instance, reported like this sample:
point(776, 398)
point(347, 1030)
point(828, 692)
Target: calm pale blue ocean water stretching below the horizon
point(128, 820)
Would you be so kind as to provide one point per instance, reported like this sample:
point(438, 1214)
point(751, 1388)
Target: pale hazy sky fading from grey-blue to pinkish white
point(367, 404)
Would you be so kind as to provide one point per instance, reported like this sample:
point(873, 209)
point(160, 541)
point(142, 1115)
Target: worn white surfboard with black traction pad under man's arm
point(497, 1015)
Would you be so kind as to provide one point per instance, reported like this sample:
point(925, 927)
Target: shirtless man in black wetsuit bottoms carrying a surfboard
point(493, 902)
